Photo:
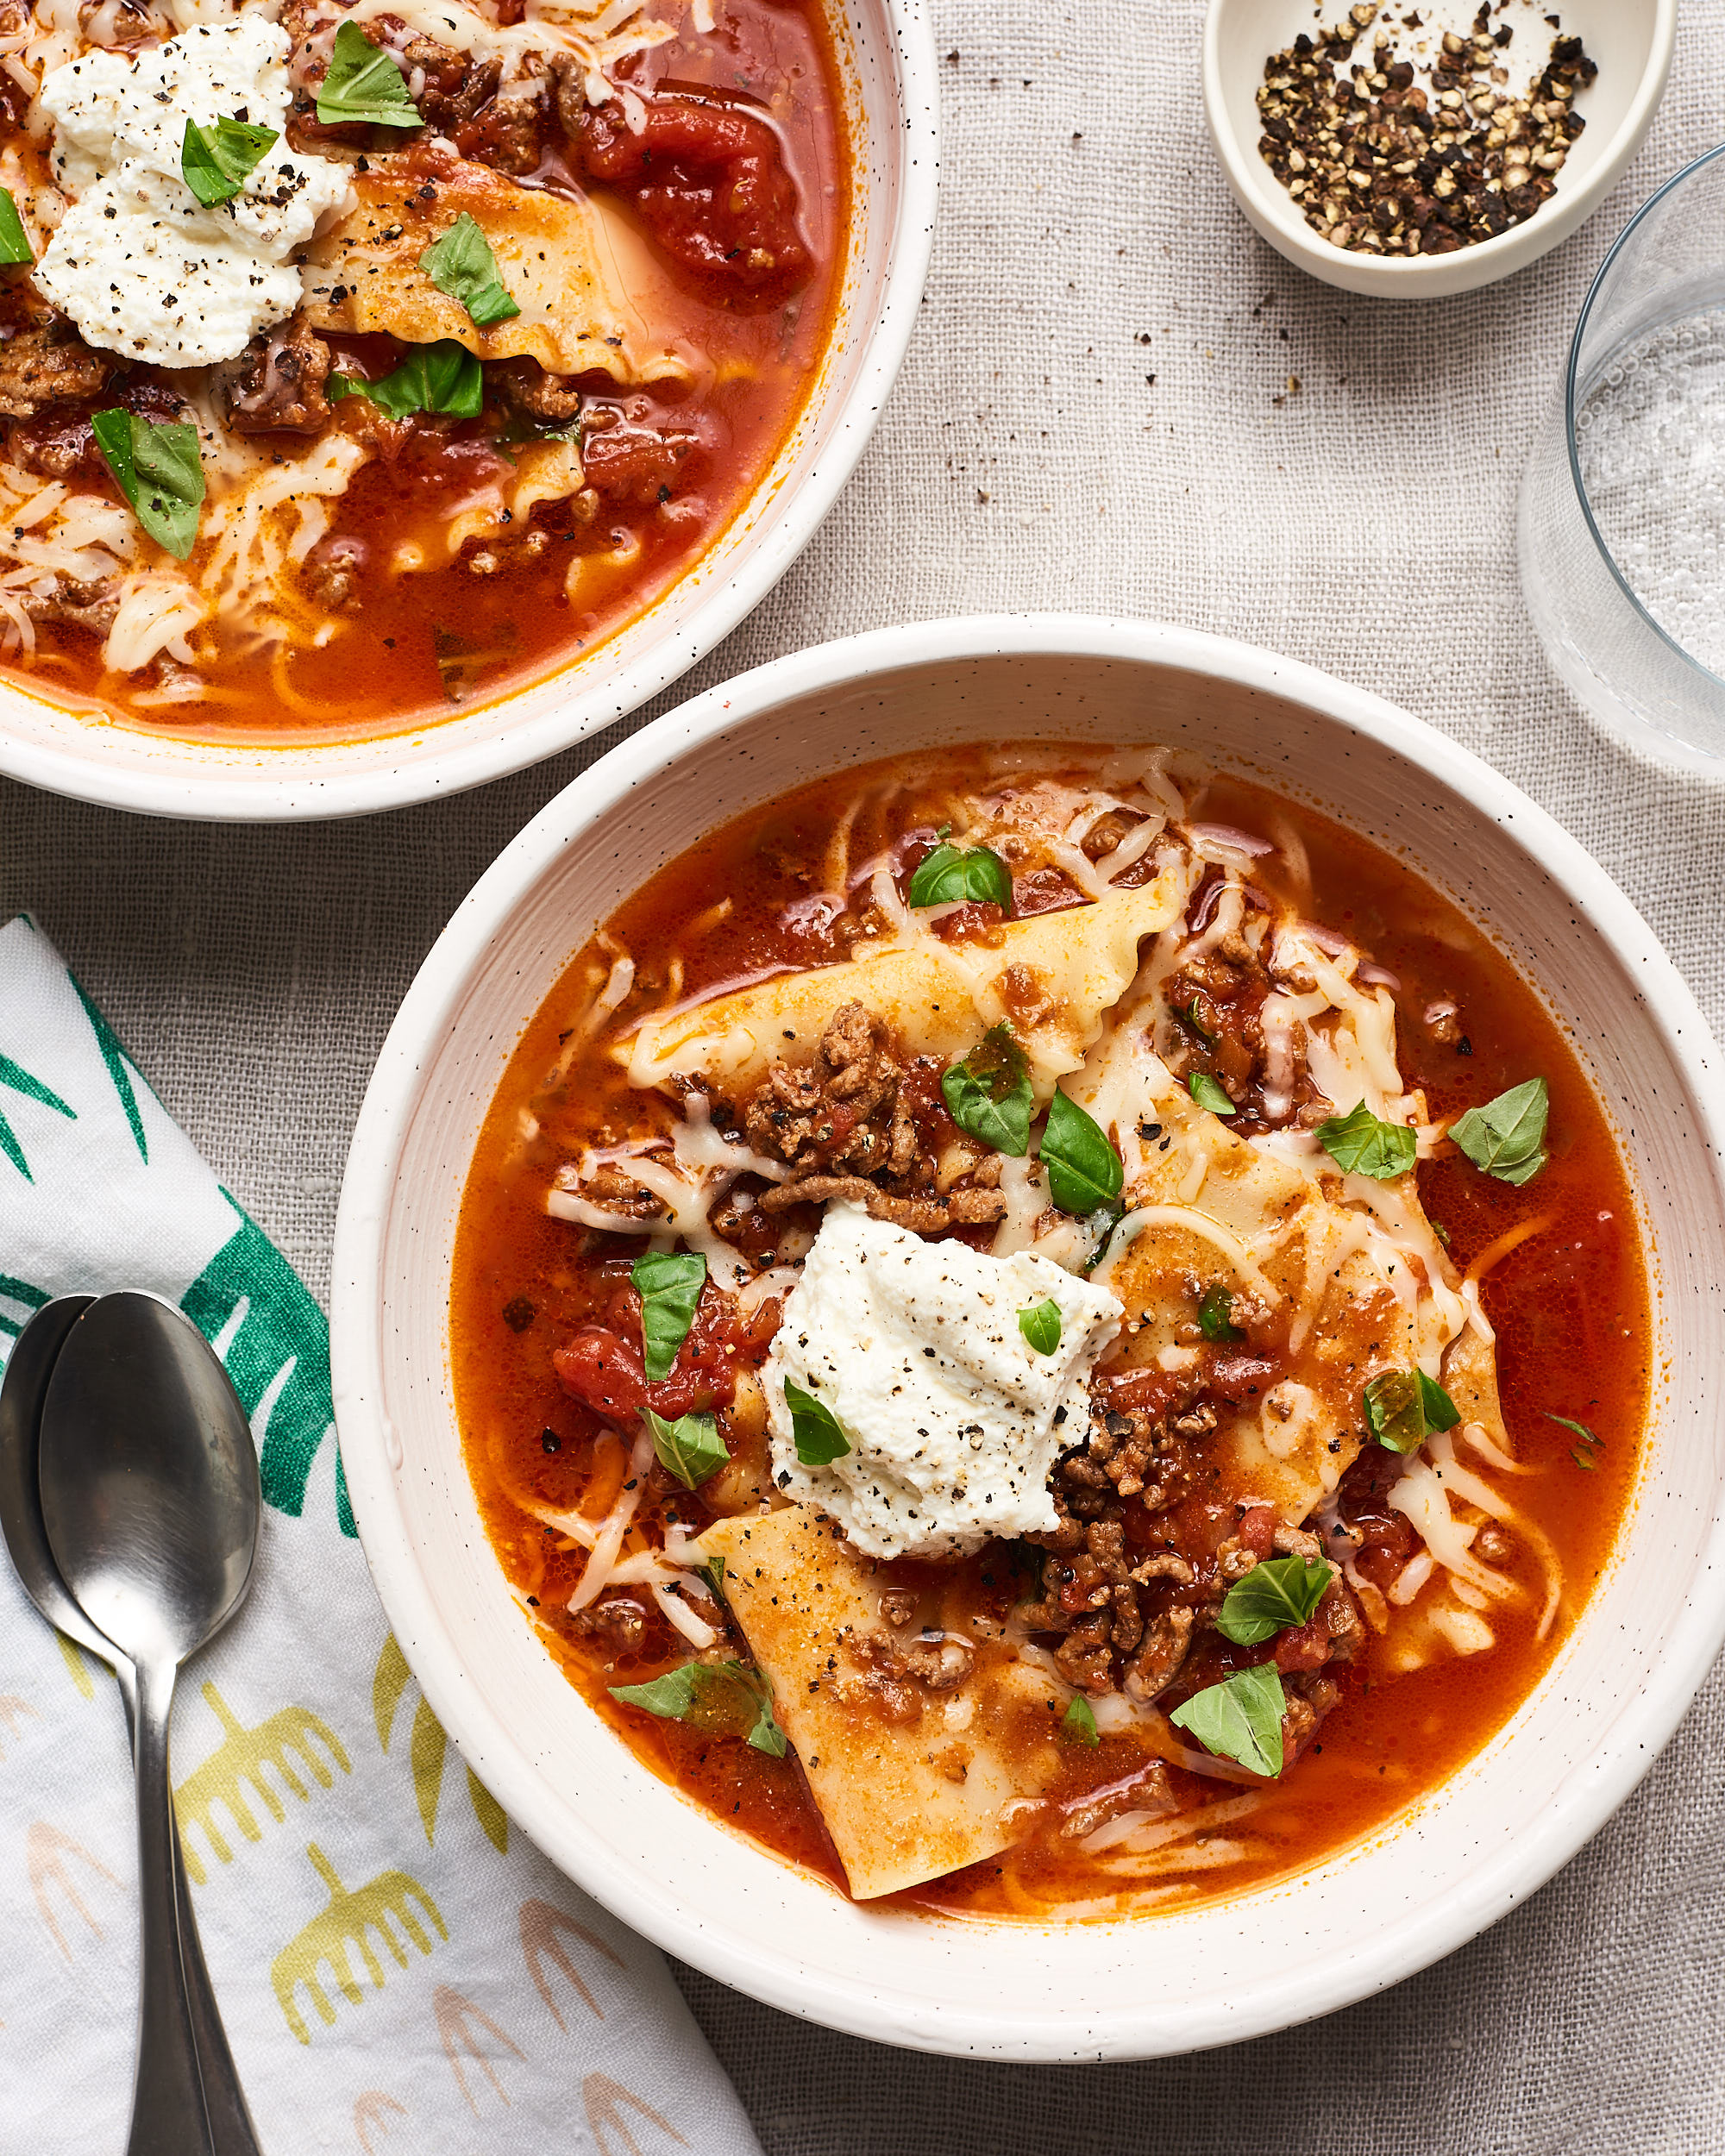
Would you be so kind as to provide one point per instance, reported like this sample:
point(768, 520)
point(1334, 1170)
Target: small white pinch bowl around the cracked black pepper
point(1631, 40)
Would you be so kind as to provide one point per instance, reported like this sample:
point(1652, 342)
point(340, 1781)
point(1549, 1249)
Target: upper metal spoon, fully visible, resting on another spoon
point(150, 1497)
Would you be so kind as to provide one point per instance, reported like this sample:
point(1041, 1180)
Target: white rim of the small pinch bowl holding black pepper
point(1424, 277)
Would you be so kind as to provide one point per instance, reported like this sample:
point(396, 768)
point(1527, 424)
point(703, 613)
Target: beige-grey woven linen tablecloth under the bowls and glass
point(1118, 400)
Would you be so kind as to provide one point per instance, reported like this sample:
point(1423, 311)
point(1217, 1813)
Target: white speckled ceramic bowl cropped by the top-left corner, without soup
point(889, 81)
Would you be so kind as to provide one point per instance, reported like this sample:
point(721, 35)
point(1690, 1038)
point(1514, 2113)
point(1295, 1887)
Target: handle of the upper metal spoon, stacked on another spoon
point(167, 2095)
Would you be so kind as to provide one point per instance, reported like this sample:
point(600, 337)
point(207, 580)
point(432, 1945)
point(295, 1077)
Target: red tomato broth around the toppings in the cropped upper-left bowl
point(439, 641)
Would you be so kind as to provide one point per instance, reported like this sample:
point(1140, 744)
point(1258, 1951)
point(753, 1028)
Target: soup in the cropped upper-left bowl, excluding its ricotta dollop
point(359, 566)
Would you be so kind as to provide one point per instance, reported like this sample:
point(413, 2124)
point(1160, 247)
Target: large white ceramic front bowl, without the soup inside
point(1094, 1991)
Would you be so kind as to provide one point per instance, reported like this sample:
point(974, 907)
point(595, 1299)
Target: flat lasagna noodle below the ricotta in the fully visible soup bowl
point(902, 1801)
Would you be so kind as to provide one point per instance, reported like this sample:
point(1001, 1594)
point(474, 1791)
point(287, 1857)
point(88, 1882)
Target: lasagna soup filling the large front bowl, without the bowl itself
point(1060, 1711)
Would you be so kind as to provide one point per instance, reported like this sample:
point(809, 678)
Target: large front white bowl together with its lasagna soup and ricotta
point(1021, 1338)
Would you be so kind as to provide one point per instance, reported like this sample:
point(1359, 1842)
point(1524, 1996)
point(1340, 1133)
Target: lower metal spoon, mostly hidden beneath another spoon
point(27, 1540)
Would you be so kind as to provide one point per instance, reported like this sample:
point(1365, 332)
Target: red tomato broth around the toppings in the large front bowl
point(1392, 1739)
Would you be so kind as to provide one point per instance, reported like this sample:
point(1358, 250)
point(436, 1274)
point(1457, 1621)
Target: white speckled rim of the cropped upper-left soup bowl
point(178, 786)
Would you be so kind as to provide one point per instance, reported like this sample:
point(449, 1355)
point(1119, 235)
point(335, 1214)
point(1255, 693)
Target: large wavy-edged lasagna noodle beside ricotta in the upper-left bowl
point(590, 296)
